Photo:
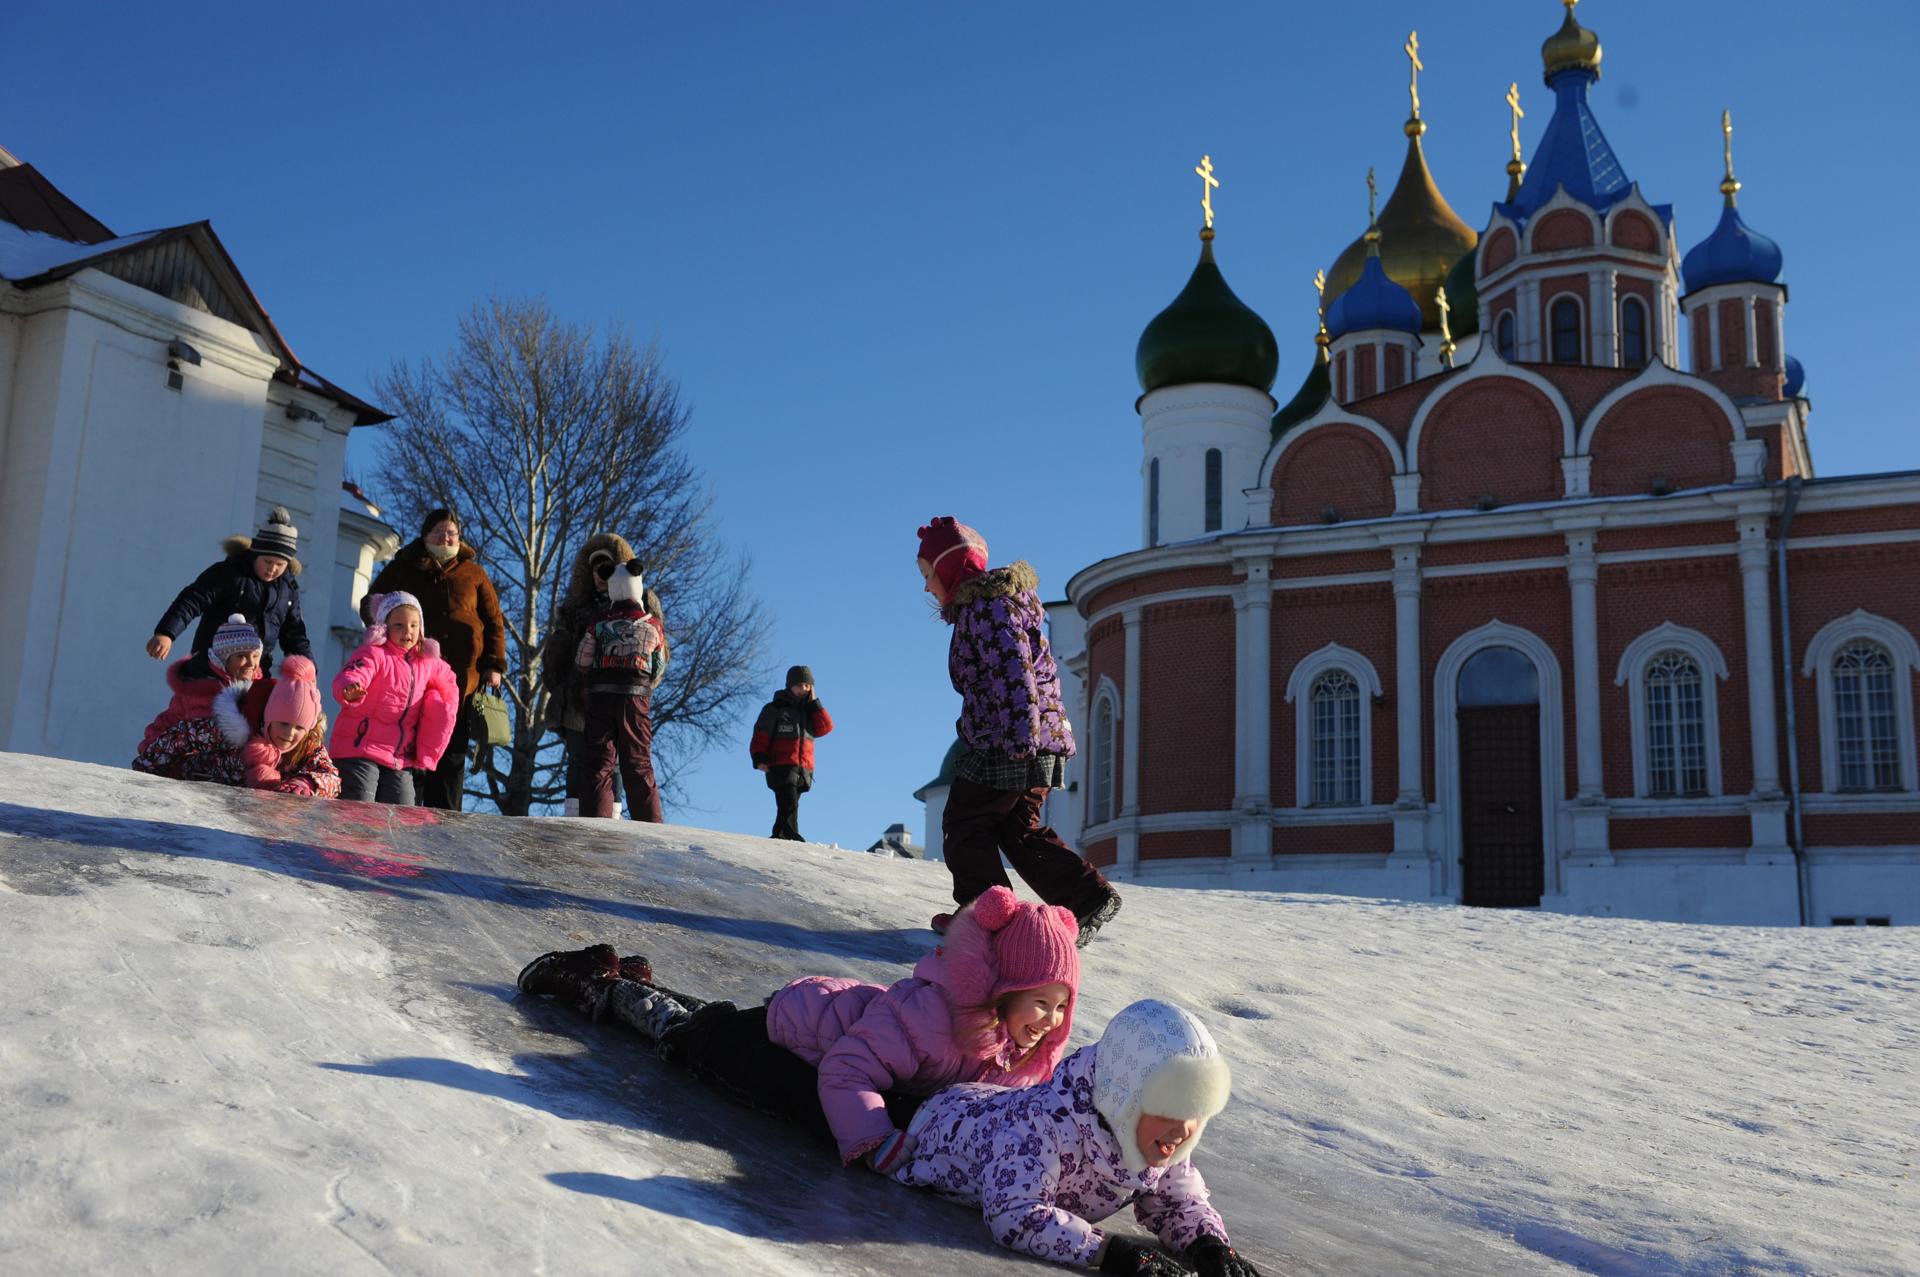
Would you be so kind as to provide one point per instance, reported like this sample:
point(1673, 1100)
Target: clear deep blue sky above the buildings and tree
point(900, 254)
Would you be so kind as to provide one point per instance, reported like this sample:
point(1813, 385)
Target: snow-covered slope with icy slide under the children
point(256, 1034)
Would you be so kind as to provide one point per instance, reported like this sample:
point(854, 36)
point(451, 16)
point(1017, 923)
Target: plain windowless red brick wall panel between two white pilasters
point(1188, 706)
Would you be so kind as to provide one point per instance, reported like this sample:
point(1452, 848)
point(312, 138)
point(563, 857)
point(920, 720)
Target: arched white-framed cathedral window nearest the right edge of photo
point(1865, 671)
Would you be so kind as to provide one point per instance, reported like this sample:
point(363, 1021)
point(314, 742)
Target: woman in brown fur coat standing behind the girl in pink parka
point(462, 612)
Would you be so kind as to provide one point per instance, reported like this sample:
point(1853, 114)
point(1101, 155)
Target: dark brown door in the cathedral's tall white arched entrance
point(1502, 855)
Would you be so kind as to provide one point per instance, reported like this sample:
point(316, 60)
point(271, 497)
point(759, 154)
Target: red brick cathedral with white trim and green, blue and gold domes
point(1531, 596)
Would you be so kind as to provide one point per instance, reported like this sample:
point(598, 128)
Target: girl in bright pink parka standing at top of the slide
point(398, 706)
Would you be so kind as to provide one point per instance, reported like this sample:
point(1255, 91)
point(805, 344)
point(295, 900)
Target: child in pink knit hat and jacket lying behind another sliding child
point(848, 1059)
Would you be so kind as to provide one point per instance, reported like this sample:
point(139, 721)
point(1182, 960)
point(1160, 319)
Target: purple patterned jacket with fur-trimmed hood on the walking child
point(1003, 669)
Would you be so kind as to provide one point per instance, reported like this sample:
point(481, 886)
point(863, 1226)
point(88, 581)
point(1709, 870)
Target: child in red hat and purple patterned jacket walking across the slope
point(1015, 731)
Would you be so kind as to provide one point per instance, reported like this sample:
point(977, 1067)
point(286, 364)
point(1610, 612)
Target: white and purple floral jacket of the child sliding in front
point(1042, 1167)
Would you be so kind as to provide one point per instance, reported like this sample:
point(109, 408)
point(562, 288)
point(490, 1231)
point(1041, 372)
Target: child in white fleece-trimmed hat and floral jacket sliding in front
point(1115, 1126)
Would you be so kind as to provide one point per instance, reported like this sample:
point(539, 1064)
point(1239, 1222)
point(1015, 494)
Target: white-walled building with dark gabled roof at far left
point(149, 408)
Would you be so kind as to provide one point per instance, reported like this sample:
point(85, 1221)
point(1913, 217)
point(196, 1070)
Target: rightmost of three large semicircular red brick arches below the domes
point(1666, 433)
